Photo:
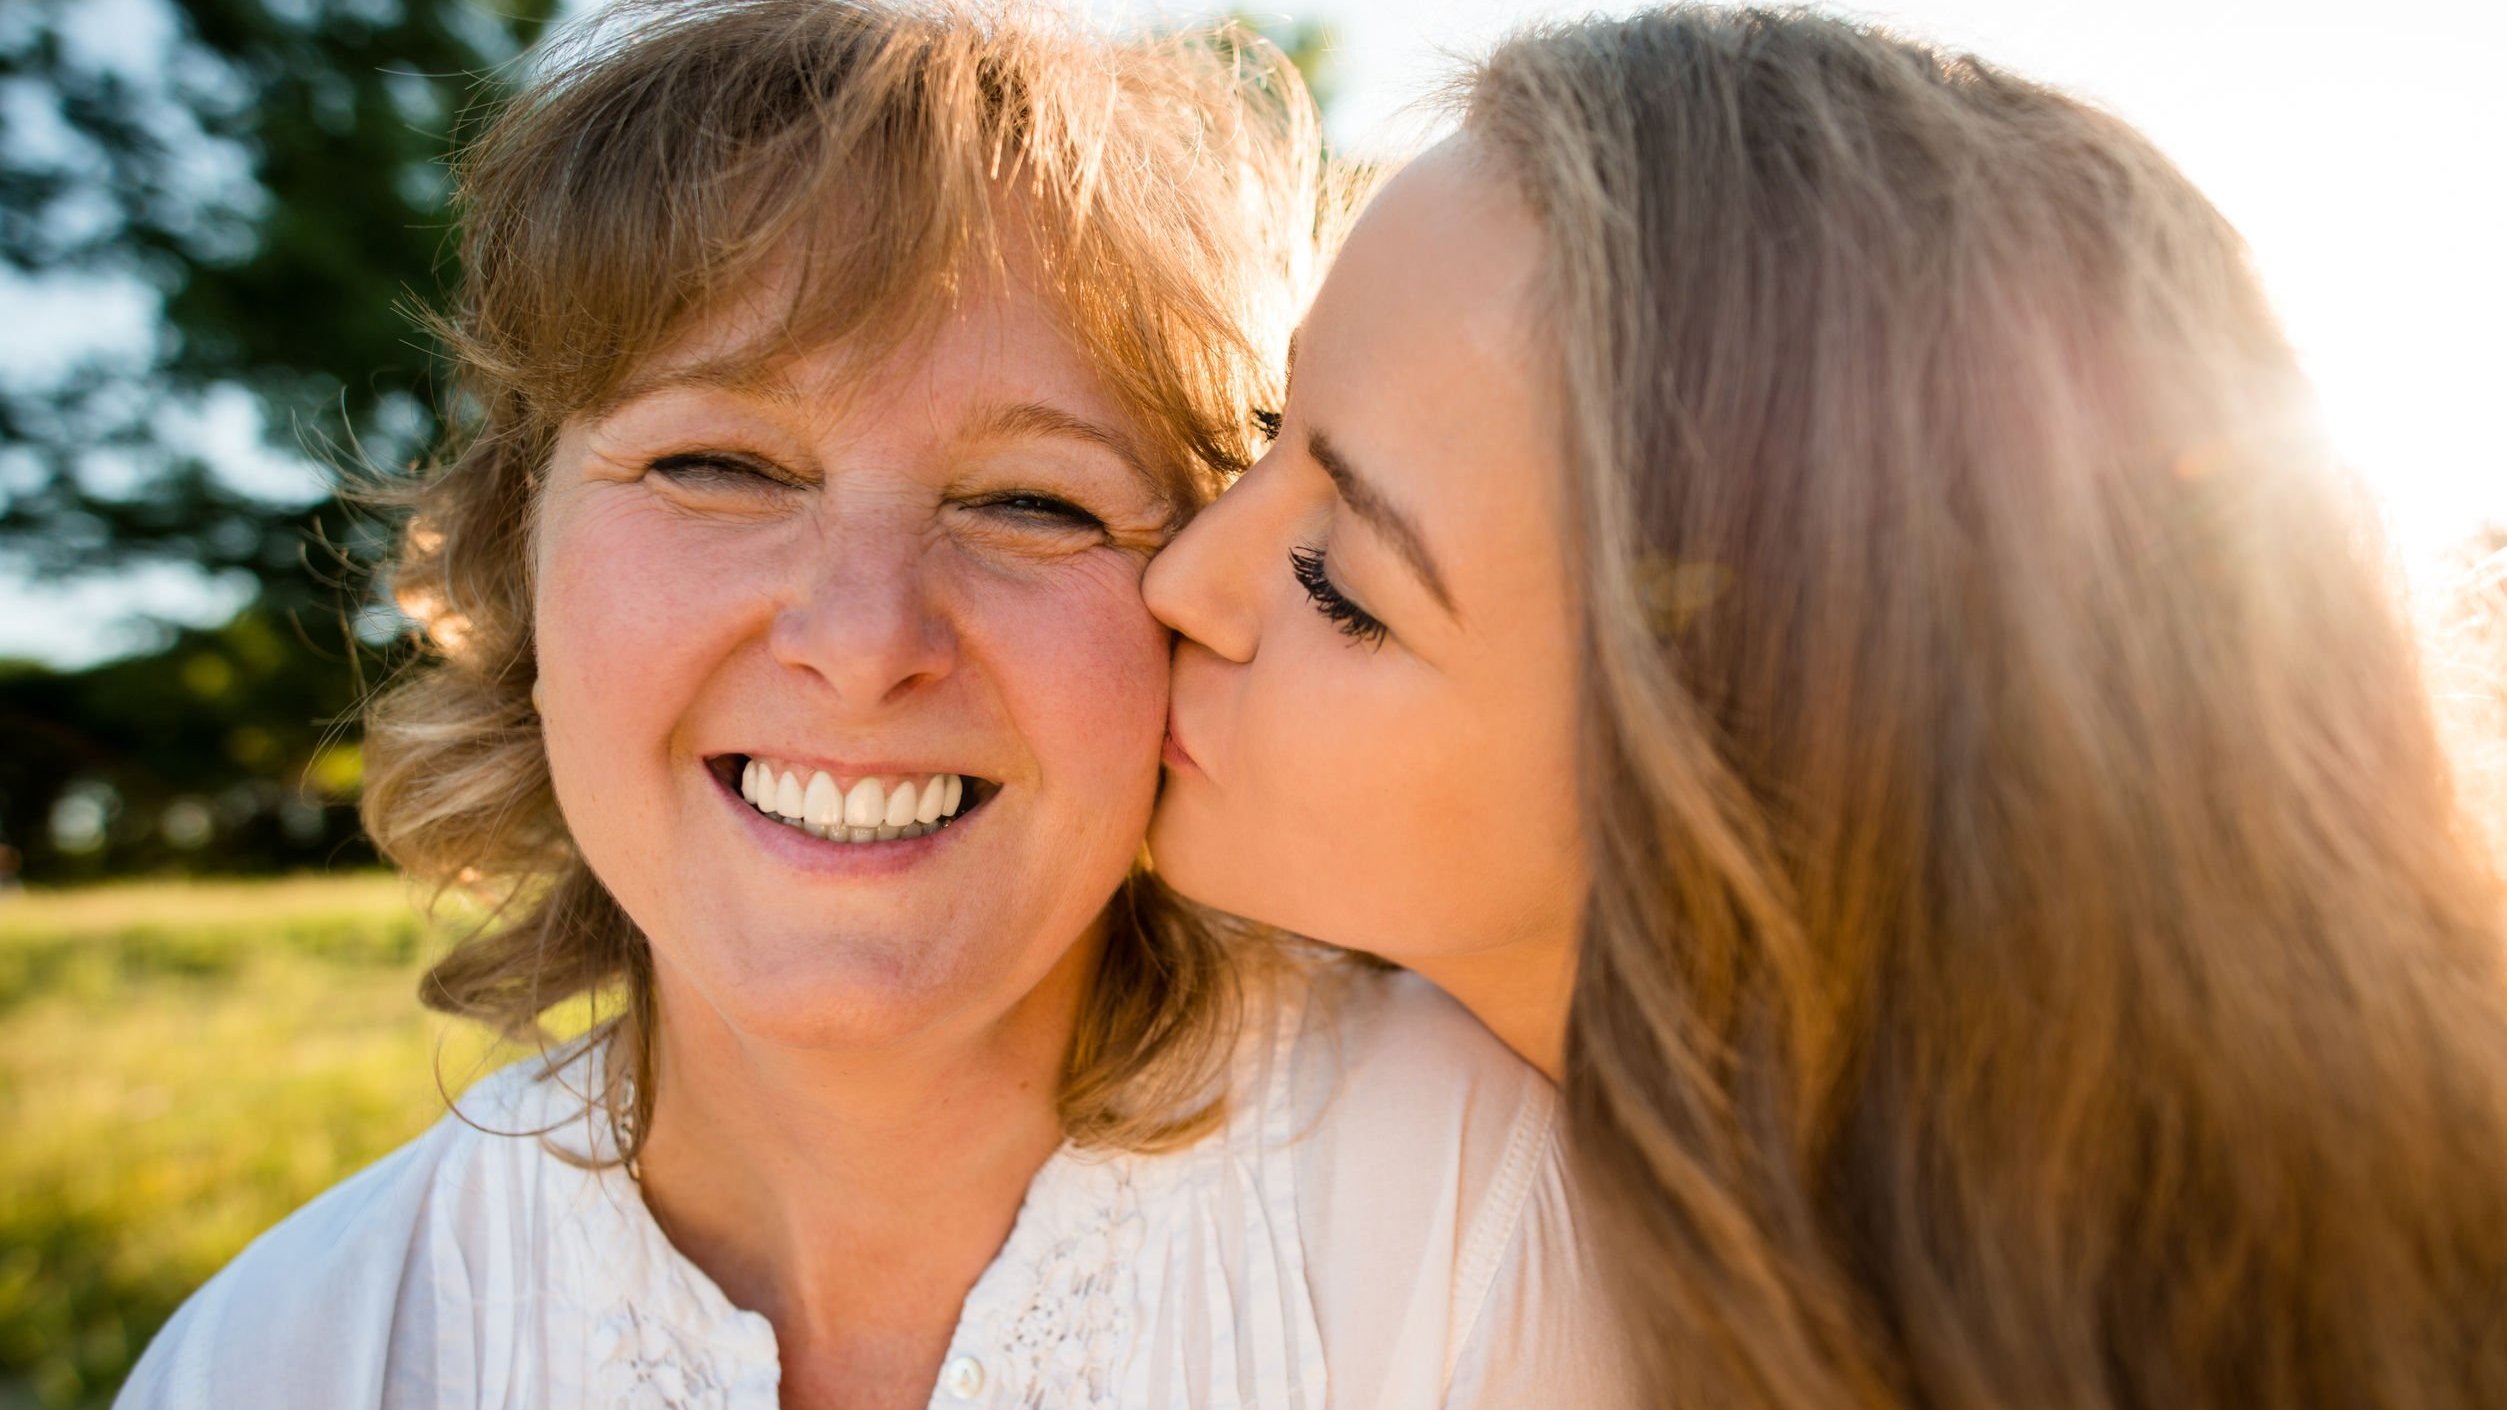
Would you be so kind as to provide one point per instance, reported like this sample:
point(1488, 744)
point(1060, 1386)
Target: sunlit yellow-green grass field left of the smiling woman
point(179, 1068)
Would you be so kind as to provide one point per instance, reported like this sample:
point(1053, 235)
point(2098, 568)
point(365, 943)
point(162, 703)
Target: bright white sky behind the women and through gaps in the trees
point(2363, 157)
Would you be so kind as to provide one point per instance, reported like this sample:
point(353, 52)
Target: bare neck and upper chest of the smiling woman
point(854, 1195)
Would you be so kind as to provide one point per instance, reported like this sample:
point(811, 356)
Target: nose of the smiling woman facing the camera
point(866, 618)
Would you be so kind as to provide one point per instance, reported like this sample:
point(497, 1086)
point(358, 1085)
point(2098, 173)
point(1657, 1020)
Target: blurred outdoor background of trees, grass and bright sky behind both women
point(214, 220)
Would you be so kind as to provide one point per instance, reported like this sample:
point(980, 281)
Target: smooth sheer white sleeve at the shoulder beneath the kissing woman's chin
point(1435, 1206)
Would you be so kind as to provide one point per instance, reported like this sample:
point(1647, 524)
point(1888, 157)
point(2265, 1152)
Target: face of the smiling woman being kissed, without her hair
point(946, 551)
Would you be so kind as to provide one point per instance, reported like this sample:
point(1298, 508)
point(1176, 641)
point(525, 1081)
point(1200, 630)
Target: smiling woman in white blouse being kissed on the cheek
point(836, 373)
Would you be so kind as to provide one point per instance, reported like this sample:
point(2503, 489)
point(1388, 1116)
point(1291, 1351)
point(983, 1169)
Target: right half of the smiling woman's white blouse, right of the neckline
point(1365, 1228)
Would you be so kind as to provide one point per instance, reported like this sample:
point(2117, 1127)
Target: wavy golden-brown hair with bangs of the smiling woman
point(869, 159)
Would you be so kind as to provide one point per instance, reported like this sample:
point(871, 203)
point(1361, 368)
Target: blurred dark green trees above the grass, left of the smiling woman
point(270, 179)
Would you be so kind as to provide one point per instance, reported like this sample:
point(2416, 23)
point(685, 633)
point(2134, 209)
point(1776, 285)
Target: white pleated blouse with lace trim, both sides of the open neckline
point(1380, 1223)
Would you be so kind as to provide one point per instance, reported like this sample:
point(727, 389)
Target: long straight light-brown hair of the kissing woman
point(2034, 950)
